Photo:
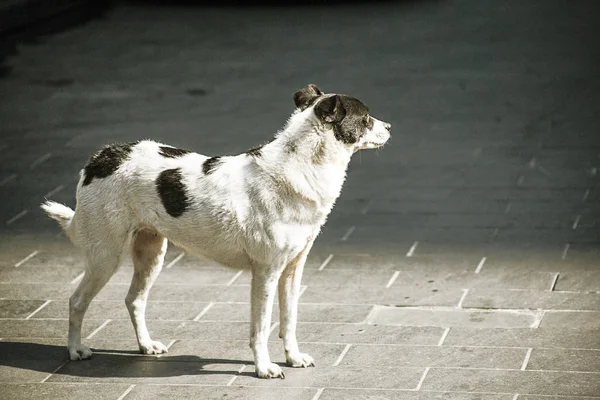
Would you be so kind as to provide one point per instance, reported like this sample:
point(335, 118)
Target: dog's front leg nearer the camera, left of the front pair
point(264, 285)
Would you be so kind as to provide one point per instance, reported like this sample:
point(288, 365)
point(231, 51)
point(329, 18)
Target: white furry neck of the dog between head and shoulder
point(306, 157)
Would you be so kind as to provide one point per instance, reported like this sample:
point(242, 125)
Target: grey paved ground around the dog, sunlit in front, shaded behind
point(462, 261)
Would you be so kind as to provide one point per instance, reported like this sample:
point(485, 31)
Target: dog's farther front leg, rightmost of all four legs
point(289, 293)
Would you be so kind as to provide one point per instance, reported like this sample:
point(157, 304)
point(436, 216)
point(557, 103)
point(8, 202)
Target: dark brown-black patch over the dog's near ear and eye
point(348, 116)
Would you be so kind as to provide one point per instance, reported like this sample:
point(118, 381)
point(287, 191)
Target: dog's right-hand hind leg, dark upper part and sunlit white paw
point(148, 253)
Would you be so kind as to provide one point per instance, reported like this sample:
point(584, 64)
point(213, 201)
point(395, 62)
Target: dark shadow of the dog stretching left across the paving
point(53, 359)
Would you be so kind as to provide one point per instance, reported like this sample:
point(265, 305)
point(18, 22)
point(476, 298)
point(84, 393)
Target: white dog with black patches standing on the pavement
point(260, 210)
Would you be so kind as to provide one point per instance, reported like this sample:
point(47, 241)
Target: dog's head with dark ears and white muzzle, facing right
point(347, 117)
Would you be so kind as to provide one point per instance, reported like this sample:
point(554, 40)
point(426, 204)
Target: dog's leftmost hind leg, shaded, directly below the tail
point(103, 260)
